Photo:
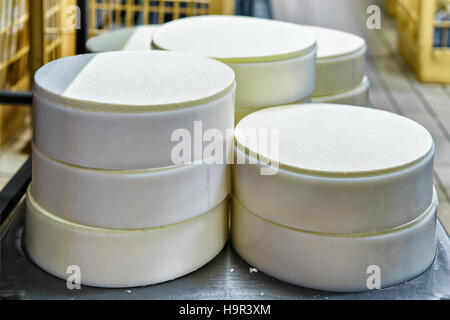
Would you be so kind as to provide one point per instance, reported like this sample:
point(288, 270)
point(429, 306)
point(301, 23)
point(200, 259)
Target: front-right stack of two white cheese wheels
point(345, 197)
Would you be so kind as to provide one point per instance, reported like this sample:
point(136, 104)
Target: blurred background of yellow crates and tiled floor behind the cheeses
point(408, 58)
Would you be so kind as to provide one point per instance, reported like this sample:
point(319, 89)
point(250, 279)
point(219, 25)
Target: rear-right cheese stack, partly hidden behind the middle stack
point(340, 74)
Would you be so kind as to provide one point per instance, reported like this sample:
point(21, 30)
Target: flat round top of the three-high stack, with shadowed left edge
point(133, 81)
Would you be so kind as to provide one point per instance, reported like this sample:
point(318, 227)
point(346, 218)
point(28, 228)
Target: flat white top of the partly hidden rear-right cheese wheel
point(334, 43)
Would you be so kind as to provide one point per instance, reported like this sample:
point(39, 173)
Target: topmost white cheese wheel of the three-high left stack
point(122, 110)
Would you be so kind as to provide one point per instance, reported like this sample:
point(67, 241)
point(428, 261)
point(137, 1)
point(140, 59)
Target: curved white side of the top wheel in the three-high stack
point(113, 140)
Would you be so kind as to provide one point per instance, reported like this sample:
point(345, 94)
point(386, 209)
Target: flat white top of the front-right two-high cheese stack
point(330, 139)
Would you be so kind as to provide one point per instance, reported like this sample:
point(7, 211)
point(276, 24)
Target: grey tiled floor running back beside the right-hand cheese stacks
point(393, 86)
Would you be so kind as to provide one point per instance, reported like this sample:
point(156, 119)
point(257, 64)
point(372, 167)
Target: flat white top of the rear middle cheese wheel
point(236, 39)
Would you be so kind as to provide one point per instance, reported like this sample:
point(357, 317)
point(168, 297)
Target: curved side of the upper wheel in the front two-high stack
point(335, 204)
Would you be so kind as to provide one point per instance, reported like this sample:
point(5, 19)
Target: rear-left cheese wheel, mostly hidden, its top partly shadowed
point(133, 38)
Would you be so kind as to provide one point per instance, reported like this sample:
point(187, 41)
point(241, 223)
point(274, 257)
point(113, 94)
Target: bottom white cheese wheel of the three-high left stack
point(123, 258)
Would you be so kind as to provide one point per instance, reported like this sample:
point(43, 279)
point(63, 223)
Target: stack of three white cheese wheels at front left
point(107, 193)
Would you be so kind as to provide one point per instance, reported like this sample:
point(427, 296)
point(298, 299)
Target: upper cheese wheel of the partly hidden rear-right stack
point(340, 61)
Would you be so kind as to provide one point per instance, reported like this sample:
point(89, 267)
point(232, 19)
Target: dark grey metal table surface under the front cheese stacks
point(226, 277)
